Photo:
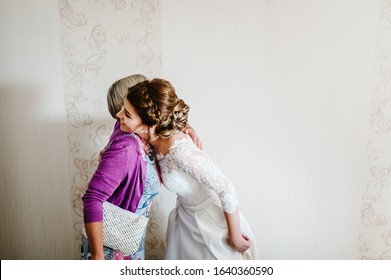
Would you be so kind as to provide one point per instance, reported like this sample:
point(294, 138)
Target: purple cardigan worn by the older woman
point(119, 178)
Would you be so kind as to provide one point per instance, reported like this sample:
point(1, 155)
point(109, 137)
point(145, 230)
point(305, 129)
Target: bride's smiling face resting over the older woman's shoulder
point(130, 121)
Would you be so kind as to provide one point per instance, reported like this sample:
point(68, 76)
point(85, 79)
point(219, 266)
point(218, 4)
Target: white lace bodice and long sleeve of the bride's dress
point(195, 178)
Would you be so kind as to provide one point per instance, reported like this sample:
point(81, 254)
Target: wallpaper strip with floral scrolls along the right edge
point(375, 236)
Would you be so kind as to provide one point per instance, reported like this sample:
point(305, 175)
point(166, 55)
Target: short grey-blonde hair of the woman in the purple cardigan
point(118, 90)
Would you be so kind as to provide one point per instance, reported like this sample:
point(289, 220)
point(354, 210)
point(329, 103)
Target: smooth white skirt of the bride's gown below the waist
point(201, 234)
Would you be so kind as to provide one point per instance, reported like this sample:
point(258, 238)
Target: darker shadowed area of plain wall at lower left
point(35, 199)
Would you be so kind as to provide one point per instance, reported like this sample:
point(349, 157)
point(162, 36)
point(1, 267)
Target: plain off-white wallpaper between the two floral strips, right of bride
point(279, 93)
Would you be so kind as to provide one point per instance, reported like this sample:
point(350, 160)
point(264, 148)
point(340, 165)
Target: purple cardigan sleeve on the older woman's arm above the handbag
point(112, 169)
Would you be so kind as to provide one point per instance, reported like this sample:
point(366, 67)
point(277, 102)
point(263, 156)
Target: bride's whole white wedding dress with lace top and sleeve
point(197, 229)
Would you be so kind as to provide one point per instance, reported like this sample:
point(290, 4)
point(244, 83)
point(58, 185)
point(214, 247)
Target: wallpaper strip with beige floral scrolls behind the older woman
point(103, 41)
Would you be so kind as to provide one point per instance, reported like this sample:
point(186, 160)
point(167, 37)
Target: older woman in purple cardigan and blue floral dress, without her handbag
point(126, 176)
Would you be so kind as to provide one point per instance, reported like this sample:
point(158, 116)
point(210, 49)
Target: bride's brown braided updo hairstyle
point(157, 104)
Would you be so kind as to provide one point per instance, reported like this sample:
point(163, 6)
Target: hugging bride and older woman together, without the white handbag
point(206, 222)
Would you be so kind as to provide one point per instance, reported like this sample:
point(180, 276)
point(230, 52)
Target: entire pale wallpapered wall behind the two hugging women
point(290, 98)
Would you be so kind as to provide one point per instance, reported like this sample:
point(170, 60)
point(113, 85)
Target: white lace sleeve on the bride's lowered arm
point(195, 162)
